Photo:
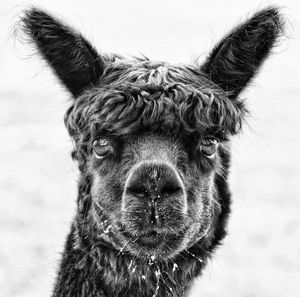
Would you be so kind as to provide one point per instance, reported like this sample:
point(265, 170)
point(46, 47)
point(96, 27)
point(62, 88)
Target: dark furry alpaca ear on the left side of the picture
point(74, 60)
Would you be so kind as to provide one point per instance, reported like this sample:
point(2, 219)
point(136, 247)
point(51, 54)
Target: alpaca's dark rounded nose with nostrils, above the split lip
point(153, 181)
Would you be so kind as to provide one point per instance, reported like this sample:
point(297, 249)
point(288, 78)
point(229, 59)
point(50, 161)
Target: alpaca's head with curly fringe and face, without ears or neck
point(152, 144)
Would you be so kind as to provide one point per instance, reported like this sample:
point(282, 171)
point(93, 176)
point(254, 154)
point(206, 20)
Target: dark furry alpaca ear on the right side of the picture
point(236, 59)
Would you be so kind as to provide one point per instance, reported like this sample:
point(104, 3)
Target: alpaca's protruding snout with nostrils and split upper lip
point(154, 191)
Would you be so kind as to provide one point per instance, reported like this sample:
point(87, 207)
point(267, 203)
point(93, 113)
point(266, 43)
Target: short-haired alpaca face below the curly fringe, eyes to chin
point(156, 194)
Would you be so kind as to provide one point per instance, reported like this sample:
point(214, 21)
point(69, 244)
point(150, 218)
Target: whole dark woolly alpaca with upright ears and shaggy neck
point(152, 145)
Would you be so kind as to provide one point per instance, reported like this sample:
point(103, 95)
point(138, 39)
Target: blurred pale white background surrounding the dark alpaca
point(261, 255)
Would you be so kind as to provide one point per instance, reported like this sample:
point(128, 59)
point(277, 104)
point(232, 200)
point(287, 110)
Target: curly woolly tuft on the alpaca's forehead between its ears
point(142, 95)
